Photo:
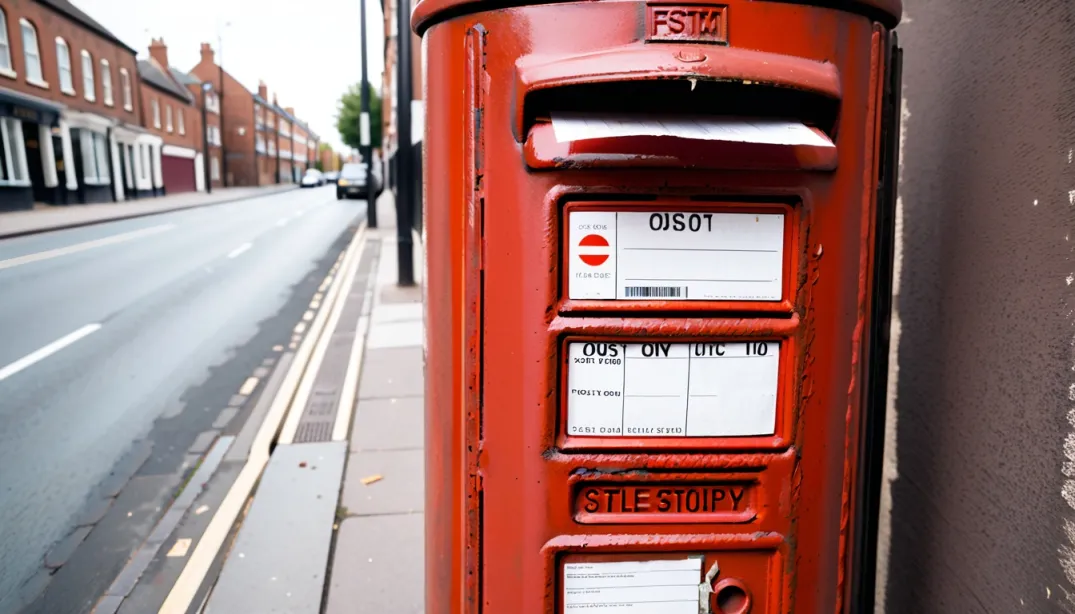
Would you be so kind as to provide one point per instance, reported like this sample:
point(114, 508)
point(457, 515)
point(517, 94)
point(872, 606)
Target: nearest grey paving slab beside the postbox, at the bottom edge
point(379, 566)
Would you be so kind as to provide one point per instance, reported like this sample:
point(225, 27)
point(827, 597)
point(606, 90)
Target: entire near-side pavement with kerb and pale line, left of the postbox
point(295, 548)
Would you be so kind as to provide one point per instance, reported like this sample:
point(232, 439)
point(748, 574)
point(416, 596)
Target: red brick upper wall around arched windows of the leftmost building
point(51, 25)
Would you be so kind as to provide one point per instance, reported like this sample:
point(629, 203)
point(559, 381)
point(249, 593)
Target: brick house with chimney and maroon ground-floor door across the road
point(169, 111)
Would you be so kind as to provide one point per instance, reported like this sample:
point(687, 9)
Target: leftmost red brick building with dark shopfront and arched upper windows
point(70, 128)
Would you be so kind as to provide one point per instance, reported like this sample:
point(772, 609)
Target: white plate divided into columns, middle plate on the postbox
point(672, 390)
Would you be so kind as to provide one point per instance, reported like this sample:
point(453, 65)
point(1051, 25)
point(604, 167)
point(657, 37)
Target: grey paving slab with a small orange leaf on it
point(400, 491)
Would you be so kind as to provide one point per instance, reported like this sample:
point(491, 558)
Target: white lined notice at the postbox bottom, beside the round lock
point(634, 587)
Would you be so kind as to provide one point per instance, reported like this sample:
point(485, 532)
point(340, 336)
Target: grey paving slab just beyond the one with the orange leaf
point(390, 424)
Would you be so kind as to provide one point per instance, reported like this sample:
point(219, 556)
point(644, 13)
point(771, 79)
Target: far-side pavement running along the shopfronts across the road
point(18, 223)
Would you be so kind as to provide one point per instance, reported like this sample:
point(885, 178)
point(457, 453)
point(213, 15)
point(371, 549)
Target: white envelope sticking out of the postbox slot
point(568, 127)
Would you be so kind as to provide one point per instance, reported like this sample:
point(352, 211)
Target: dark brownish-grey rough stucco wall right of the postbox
point(983, 409)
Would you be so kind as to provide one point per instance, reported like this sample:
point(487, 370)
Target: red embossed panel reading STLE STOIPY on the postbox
point(666, 503)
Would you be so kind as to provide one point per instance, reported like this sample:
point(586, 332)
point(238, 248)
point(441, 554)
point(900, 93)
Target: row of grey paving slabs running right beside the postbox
point(378, 563)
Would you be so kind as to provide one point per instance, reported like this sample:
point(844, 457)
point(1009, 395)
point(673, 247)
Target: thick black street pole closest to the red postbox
point(405, 153)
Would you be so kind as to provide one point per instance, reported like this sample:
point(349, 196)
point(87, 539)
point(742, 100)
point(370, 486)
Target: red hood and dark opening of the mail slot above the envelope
point(679, 79)
